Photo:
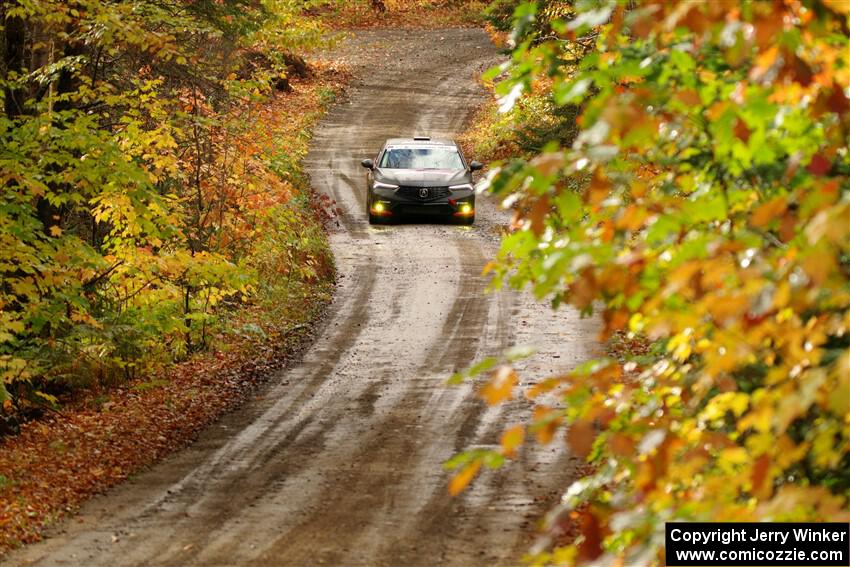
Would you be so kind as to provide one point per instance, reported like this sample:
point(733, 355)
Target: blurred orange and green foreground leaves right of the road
point(702, 208)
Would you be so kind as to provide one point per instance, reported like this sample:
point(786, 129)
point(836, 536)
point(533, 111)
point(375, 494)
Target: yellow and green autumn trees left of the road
point(145, 185)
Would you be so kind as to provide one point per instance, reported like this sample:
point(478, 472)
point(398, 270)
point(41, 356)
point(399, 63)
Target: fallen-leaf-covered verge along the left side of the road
point(99, 436)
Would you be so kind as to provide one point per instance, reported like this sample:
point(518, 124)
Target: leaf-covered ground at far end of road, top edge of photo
point(356, 14)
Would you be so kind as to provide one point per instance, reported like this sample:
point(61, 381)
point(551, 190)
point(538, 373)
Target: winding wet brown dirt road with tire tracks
point(338, 462)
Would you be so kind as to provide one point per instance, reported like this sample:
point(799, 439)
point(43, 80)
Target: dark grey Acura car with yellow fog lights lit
point(420, 176)
